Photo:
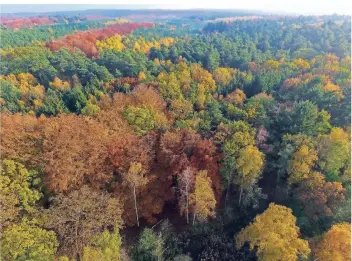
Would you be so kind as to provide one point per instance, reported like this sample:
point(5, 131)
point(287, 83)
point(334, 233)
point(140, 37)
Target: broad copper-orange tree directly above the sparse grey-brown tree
point(71, 159)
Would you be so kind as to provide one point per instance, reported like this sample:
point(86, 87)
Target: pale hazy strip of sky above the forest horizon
point(276, 6)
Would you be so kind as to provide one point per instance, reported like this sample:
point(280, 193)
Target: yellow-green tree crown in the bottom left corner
point(28, 241)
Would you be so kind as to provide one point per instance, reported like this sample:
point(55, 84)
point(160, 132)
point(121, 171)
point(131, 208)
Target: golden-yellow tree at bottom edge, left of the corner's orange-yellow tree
point(275, 235)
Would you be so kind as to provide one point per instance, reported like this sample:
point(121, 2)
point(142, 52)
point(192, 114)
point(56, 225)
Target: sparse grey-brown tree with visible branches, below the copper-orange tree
point(80, 216)
